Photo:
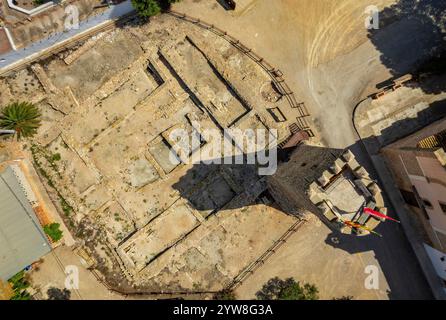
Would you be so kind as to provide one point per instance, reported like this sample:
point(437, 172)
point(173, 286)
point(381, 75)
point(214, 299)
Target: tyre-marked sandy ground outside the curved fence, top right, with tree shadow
point(322, 47)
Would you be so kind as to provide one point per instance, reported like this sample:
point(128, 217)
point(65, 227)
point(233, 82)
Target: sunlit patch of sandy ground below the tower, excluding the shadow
point(335, 272)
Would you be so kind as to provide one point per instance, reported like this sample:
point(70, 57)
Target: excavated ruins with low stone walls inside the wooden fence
point(110, 106)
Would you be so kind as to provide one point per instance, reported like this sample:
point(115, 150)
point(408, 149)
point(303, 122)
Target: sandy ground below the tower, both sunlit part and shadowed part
point(338, 269)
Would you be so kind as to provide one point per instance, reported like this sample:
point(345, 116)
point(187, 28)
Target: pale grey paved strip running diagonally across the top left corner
point(111, 13)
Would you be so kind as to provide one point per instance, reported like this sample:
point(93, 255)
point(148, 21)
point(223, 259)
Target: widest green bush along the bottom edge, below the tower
point(288, 289)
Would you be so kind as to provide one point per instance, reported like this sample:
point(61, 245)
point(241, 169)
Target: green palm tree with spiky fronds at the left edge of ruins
point(22, 117)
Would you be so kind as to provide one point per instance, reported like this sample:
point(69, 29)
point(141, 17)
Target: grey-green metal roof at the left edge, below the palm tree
point(22, 239)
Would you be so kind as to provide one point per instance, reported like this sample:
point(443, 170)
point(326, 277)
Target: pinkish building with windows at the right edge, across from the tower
point(418, 166)
